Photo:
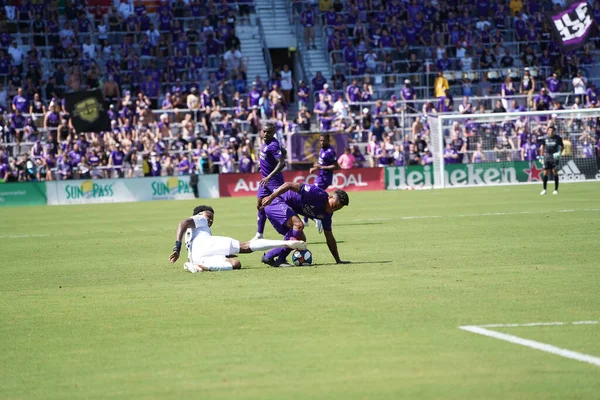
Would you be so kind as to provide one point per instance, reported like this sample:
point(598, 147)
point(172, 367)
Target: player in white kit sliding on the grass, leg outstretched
point(210, 253)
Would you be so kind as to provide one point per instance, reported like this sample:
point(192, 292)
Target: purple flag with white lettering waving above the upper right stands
point(574, 25)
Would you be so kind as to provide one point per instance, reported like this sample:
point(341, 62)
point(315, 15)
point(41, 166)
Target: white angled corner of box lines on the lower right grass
point(548, 348)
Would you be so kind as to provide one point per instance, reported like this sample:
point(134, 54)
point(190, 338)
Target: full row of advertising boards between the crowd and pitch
point(238, 185)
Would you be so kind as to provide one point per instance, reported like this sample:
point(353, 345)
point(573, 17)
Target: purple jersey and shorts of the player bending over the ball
point(309, 201)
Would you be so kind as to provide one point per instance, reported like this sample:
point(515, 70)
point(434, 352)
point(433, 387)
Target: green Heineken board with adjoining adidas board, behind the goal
point(489, 173)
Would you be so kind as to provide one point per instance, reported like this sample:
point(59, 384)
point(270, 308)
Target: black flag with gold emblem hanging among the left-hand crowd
point(87, 111)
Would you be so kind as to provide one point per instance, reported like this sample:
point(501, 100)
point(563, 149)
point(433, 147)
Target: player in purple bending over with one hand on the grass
point(292, 199)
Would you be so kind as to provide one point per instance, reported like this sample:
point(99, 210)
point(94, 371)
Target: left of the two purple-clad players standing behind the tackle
point(272, 162)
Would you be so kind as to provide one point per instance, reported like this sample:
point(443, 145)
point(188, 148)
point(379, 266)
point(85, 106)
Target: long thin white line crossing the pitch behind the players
point(408, 217)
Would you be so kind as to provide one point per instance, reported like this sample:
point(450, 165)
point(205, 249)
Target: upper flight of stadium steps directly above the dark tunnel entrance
point(279, 32)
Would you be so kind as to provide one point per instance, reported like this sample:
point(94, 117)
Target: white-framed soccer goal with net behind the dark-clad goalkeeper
point(504, 148)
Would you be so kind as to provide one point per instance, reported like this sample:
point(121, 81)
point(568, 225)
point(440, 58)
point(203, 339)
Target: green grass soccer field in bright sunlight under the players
point(90, 307)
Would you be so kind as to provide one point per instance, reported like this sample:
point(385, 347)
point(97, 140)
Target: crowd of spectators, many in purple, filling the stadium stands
point(174, 81)
